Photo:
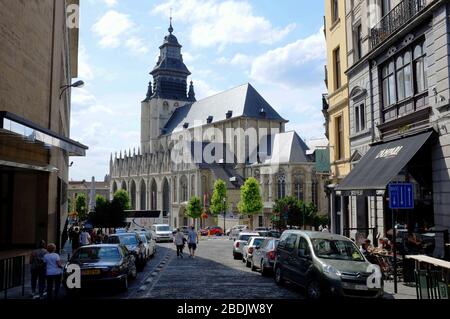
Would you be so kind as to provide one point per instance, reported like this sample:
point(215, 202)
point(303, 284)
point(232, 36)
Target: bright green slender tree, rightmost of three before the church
point(251, 202)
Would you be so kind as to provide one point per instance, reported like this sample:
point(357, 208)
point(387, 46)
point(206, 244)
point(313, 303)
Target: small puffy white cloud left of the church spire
point(111, 27)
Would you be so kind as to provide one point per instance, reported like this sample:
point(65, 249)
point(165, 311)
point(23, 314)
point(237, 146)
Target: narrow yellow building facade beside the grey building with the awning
point(336, 107)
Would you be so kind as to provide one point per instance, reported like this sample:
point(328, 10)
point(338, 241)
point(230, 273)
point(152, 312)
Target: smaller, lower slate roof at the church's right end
point(288, 147)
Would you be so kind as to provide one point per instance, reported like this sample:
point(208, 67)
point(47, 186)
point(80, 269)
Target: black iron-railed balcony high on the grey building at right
point(394, 20)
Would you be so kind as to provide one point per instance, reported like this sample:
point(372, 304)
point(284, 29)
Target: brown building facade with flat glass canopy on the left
point(38, 56)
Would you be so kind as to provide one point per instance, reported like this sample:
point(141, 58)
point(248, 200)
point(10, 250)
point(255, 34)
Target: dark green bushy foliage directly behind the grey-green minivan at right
point(297, 212)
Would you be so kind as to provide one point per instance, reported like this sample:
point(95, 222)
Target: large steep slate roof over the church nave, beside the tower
point(243, 100)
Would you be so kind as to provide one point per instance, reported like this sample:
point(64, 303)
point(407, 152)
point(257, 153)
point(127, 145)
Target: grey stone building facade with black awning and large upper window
point(399, 112)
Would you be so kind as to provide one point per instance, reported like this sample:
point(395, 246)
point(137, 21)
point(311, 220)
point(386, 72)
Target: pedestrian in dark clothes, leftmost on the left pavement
point(37, 267)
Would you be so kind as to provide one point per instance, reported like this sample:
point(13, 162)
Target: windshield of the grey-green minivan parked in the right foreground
point(336, 249)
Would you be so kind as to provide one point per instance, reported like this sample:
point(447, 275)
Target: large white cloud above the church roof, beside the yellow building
point(298, 62)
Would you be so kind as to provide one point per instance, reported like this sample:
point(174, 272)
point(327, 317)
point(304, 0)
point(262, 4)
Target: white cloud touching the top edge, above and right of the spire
point(217, 23)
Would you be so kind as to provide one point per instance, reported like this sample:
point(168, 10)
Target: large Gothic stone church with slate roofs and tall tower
point(186, 145)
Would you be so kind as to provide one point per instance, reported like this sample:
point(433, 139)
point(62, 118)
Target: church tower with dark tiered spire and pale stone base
point(169, 91)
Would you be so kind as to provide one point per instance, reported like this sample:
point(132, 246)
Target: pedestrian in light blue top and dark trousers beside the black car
point(53, 271)
